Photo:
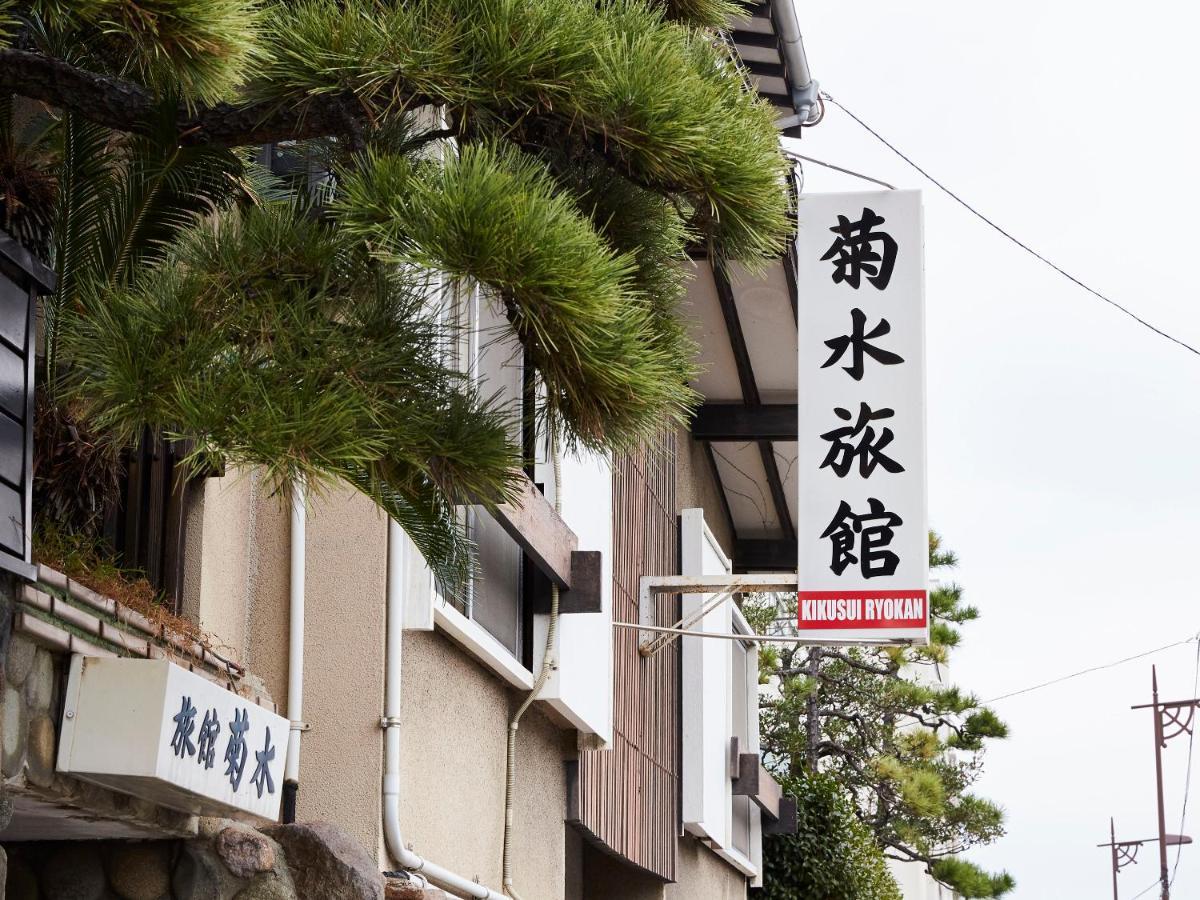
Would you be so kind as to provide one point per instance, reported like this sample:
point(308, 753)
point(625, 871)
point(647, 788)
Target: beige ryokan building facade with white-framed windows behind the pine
point(352, 740)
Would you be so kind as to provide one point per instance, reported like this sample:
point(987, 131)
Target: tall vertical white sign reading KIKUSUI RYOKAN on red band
point(863, 557)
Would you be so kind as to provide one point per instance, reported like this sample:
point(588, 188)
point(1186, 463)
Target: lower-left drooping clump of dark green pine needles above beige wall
point(272, 339)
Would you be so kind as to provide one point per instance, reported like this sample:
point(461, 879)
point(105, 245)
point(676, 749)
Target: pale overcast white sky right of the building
point(1063, 436)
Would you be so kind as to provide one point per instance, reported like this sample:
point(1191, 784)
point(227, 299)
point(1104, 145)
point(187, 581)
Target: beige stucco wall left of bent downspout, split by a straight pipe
point(238, 591)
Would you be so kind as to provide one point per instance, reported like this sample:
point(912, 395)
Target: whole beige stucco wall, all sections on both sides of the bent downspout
point(455, 712)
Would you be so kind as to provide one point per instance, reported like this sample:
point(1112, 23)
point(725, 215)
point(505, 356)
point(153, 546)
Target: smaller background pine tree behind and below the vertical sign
point(905, 747)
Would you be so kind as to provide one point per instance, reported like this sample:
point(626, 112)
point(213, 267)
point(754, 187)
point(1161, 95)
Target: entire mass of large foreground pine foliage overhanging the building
point(561, 155)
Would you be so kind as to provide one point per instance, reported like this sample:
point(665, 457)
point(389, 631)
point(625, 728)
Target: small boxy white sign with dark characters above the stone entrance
point(154, 730)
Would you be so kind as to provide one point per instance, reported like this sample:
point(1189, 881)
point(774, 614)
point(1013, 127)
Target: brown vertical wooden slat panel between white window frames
point(629, 795)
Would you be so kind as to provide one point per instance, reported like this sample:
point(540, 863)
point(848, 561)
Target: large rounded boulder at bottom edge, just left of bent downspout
point(327, 863)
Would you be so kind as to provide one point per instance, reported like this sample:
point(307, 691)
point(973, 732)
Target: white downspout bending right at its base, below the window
point(392, 711)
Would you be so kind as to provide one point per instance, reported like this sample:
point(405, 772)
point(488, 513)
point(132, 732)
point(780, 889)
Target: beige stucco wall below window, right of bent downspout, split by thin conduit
point(453, 755)
